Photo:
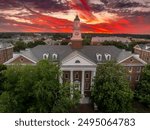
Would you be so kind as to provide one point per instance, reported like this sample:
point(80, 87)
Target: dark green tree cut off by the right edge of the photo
point(143, 88)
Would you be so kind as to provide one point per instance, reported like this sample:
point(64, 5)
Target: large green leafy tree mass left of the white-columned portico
point(36, 89)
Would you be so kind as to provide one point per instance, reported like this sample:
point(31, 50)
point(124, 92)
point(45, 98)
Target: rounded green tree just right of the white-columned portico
point(111, 91)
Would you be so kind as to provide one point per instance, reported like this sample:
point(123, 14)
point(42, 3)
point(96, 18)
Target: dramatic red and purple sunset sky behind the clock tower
point(97, 16)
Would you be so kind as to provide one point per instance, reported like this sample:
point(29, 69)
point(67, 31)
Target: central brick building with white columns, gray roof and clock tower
point(78, 63)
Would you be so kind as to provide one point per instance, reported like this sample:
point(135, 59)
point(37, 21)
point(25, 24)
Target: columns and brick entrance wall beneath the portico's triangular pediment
point(82, 78)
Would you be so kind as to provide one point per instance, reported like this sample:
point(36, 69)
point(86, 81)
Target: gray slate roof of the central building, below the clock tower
point(89, 52)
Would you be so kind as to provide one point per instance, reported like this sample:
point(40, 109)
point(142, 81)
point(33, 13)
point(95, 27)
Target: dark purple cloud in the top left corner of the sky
point(42, 5)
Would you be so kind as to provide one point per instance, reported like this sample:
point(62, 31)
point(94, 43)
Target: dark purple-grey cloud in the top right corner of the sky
point(126, 8)
